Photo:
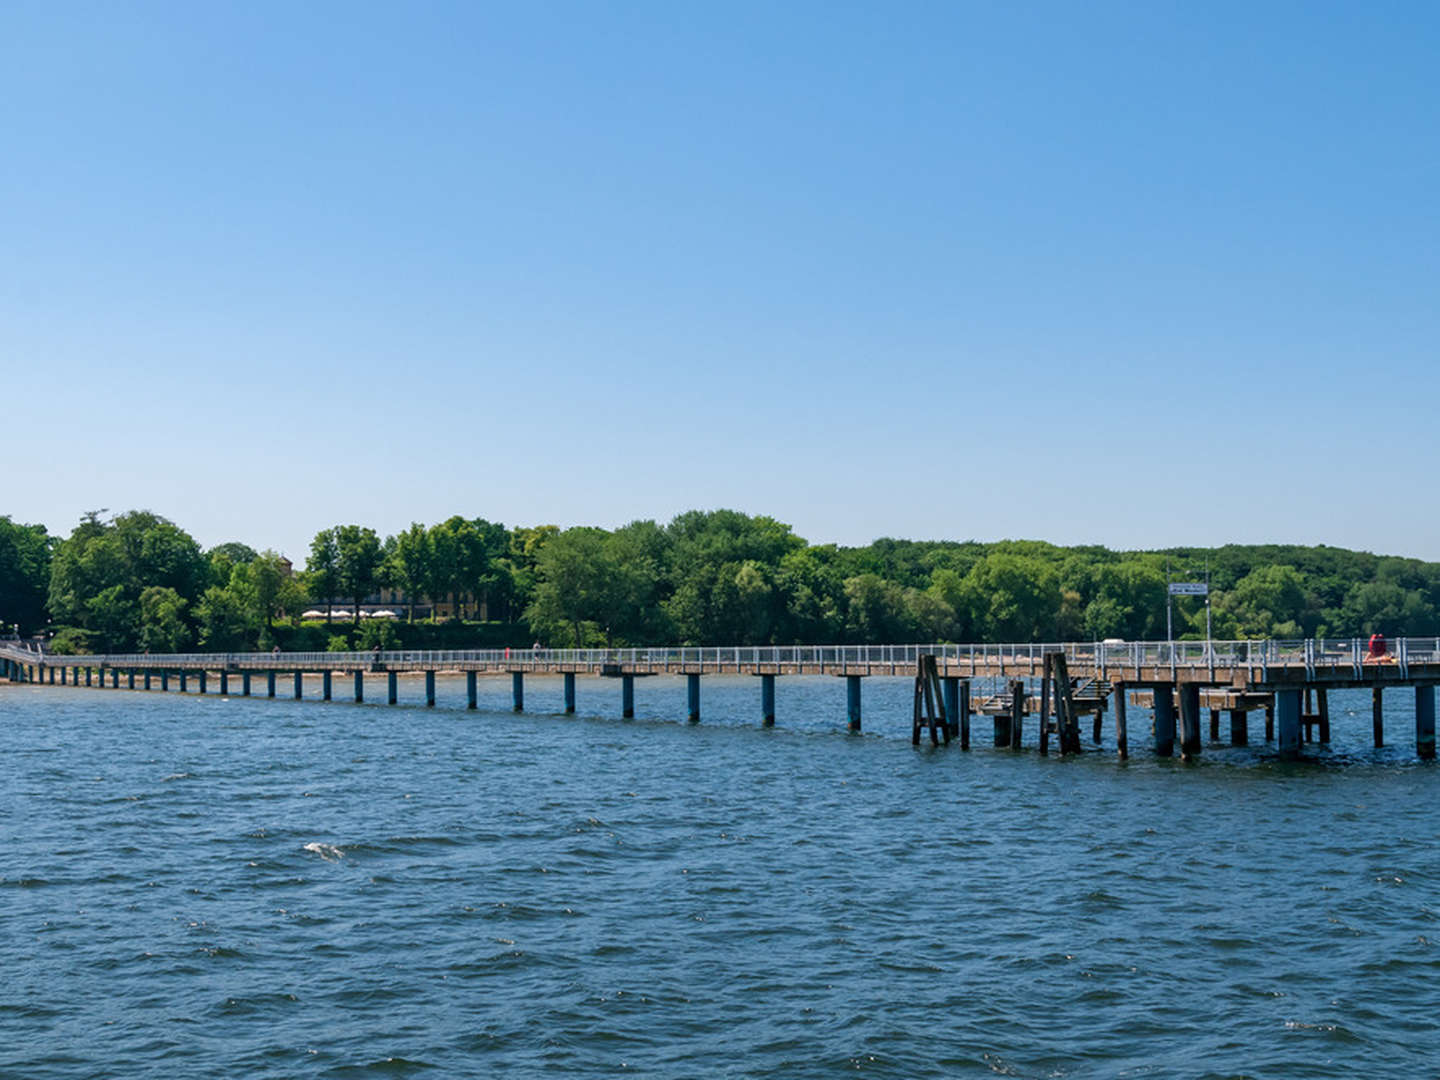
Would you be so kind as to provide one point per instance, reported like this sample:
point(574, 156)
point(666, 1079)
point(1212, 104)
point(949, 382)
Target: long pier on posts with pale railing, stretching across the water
point(1180, 679)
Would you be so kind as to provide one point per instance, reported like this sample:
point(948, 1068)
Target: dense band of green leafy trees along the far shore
point(140, 582)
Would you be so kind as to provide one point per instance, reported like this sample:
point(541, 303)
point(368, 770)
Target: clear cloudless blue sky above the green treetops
point(1134, 274)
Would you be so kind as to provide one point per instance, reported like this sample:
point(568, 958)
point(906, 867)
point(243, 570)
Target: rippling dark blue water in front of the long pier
point(274, 889)
